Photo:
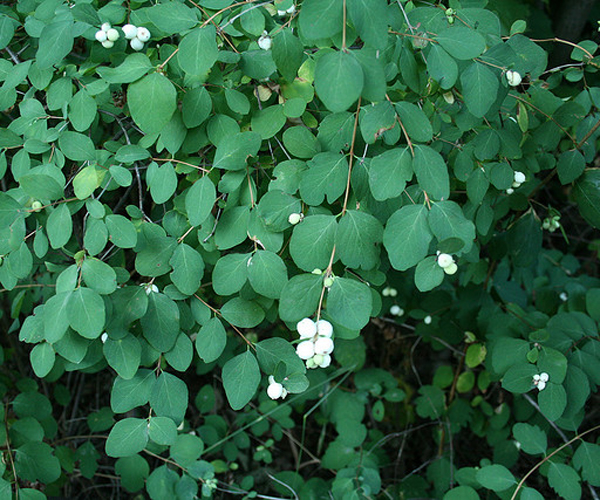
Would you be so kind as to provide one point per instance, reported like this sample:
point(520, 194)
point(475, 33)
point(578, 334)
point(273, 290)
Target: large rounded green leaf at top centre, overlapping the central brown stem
point(339, 80)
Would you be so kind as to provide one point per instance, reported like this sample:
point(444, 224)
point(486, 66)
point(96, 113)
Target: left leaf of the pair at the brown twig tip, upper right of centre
point(389, 172)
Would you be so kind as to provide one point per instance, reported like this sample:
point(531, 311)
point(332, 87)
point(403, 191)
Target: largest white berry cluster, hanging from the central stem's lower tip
point(316, 344)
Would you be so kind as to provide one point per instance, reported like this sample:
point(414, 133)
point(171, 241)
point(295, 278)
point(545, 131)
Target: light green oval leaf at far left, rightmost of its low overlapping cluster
point(86, 312)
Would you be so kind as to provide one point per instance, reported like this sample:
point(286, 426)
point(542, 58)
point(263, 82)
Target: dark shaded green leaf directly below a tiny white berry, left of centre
point(160, 324)
